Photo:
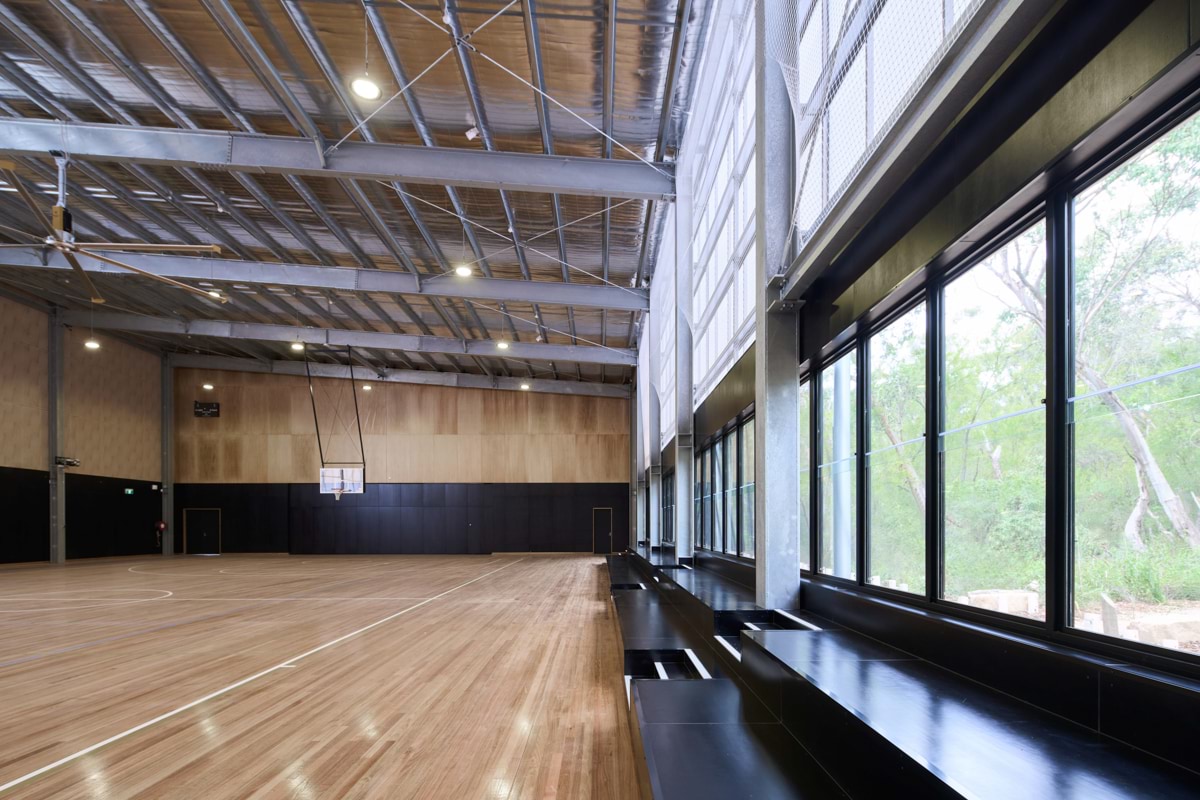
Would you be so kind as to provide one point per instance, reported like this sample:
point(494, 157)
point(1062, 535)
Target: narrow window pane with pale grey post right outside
point(836, 470)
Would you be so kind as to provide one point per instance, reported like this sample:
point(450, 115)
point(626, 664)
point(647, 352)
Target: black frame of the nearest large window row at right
point(1051, 201)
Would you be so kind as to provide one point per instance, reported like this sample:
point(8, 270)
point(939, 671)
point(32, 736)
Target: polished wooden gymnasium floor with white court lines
point(291, 677)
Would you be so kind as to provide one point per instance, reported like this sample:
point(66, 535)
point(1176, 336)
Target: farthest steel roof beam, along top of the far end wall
point(422, 377)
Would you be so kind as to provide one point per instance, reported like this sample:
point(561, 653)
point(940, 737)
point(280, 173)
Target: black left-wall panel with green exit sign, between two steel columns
point(106, 520)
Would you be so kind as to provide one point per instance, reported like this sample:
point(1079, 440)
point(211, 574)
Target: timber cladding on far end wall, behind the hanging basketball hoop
point(412, 434)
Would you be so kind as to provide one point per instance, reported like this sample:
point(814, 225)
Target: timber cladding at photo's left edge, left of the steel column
point(23, 387)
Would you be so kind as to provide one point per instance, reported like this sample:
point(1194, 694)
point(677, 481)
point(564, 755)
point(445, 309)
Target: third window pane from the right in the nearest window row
point(896, 461)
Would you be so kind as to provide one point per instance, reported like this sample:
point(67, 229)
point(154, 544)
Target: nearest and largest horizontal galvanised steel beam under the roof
point(248, 153)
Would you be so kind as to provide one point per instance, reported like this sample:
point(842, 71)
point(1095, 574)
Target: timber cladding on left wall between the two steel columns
point(112, 411)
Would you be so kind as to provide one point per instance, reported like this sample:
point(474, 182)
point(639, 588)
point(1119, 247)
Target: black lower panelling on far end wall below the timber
point(442, 519)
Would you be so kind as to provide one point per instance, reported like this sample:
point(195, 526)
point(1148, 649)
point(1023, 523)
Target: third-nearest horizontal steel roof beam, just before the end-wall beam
point(343, 338)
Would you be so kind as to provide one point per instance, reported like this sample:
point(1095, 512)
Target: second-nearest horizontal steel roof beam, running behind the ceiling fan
point(184, 268)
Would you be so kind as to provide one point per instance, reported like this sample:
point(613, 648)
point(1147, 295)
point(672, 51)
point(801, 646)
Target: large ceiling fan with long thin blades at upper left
point(62, 239)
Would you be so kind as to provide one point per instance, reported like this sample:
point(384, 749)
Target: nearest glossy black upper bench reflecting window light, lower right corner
point(928, 732)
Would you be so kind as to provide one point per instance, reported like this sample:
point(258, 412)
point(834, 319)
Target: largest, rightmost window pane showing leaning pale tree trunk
point(1137, 398)
